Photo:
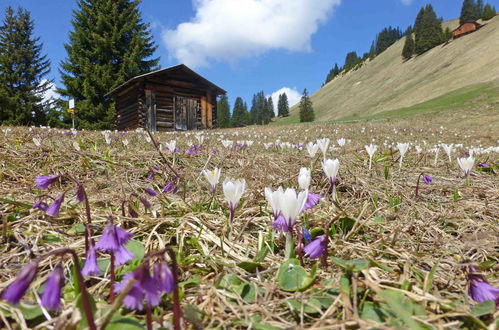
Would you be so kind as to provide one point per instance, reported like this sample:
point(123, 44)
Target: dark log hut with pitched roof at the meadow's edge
point(172, 98)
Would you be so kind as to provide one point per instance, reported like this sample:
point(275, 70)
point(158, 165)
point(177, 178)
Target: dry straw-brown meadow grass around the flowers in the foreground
point(414, 236)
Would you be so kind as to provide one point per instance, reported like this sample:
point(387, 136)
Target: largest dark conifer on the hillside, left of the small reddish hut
point(428, 29)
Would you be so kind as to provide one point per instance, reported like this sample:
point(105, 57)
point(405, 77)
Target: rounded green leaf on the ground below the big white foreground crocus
point(293, 277)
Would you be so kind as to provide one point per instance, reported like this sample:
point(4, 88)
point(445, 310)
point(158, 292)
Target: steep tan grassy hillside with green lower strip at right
point(440, 79)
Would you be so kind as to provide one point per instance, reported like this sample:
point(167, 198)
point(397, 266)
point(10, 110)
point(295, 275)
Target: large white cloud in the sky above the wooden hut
point(227, 30)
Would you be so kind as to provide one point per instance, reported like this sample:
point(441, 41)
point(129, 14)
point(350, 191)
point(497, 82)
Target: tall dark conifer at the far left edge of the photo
point(22, 71)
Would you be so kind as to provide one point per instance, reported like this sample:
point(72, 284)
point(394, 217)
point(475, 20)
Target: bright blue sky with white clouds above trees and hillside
point(267, 45)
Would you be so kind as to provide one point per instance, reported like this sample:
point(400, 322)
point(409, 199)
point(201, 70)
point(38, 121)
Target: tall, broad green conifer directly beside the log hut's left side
point(109, 45)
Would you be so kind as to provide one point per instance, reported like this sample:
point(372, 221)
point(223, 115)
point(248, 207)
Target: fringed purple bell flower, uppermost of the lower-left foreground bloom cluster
point(113, 240)
